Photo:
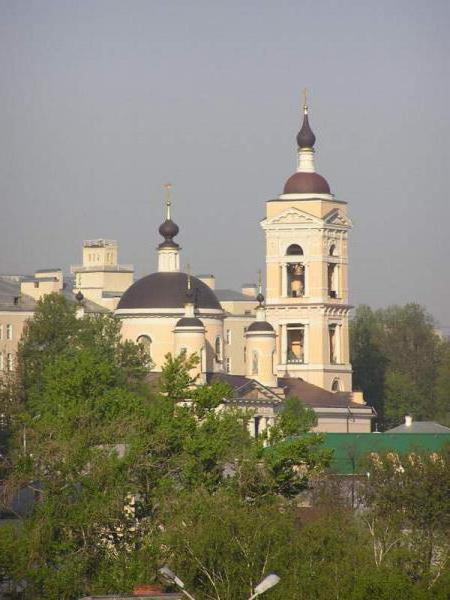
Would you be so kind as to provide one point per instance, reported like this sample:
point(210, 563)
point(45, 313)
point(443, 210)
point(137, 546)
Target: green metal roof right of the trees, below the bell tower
point(350, 449)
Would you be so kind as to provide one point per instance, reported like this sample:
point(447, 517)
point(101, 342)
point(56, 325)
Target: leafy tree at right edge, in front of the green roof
point(408, 512)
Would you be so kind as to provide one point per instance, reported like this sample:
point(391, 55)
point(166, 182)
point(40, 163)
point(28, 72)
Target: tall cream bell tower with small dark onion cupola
point(306, 230)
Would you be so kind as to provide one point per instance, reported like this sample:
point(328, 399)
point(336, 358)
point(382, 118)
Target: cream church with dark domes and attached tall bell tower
point(293, 341)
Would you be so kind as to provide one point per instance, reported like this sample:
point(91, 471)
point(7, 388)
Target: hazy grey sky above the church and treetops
point(101, 102)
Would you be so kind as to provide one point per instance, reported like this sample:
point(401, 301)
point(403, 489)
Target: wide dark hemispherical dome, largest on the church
point(167, 290)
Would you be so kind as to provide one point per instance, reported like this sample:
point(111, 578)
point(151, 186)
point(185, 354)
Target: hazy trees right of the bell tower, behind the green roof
point(400, 363)
